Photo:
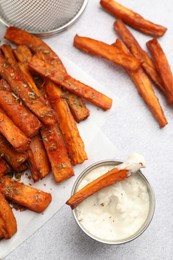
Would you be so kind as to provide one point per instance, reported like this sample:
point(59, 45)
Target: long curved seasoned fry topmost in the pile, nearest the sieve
point(21, 37)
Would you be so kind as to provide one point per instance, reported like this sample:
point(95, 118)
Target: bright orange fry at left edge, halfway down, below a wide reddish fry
point(13, 134)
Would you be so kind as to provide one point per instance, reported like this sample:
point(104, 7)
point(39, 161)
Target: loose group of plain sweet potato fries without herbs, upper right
point(126, 52)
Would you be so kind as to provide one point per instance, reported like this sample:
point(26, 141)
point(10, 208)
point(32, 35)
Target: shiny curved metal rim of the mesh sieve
point(53, 32)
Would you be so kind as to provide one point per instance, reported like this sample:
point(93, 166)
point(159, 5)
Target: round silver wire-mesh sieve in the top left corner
point(41, 17)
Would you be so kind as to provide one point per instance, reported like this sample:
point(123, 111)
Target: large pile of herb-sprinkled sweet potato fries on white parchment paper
point(40, 106)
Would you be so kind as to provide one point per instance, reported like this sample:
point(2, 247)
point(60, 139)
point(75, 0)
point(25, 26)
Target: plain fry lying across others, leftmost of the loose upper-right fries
point(106, 51)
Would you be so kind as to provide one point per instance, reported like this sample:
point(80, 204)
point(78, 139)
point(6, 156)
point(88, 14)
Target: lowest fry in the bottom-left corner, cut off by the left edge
point(6, 214)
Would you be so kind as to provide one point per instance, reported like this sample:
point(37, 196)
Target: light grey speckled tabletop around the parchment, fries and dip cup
point(130, 127)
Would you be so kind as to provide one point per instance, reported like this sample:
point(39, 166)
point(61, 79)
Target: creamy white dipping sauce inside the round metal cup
point(115, 212)
